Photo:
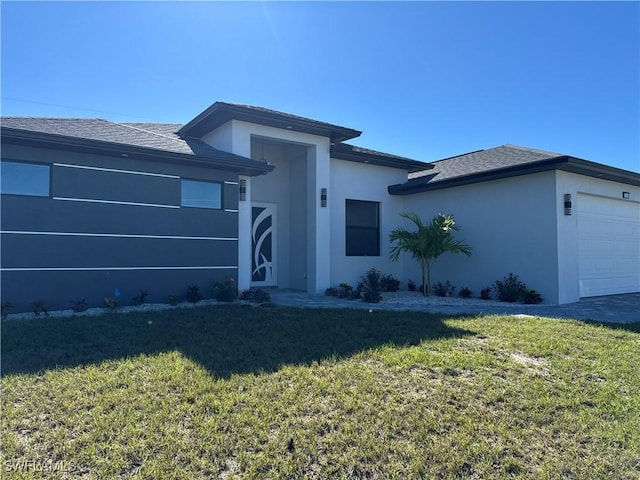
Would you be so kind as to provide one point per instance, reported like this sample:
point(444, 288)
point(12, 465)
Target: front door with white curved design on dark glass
point(263, 244)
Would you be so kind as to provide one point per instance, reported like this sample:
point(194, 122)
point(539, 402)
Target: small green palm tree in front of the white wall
point(427, 243)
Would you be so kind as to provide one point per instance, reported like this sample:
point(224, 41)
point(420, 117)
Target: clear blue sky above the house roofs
point(421, 79)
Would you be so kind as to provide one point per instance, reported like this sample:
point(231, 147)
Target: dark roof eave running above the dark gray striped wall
point(239, 164)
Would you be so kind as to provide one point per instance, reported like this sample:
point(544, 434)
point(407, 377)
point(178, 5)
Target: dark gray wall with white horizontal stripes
point(67, 246)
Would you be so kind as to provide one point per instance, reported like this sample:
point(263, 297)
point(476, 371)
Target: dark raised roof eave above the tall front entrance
point(220, 113)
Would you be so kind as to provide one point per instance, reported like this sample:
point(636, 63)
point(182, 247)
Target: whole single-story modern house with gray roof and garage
point(272, 199)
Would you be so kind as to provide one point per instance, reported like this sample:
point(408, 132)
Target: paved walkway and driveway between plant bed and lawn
point(615, 308)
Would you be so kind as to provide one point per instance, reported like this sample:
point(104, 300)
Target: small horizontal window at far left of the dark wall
point(25, 179)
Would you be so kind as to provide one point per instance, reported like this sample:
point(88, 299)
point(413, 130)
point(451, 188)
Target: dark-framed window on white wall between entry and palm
point(363, 228)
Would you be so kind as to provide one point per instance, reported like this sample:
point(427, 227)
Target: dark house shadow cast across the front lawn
point(224, 339)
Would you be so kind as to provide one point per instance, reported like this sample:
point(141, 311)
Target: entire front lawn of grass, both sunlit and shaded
point(245, 392)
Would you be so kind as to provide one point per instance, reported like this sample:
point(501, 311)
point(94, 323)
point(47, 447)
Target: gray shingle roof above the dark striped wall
point(157, 136)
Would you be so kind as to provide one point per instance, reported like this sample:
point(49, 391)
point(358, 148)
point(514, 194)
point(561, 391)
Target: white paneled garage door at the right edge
point(608, 245)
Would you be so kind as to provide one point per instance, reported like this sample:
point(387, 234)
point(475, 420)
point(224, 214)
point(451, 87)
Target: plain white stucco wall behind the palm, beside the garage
point(511, 224)
